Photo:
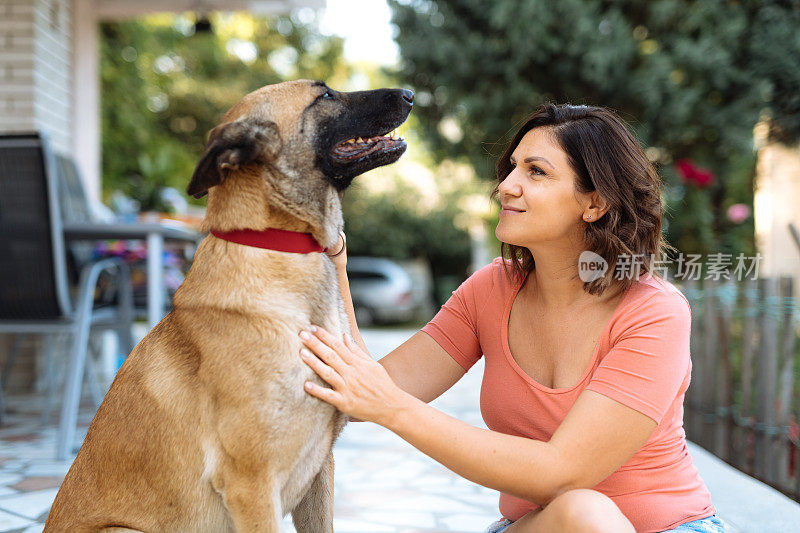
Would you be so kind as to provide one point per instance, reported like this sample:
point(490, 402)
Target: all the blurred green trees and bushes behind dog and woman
point(692, 78)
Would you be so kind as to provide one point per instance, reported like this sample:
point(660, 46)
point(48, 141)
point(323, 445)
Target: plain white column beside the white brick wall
point(86, 95)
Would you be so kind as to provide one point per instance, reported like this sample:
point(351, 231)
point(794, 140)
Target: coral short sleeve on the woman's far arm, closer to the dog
point(455, 326)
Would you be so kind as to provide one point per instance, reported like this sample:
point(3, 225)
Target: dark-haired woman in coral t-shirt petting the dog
point(584, 376)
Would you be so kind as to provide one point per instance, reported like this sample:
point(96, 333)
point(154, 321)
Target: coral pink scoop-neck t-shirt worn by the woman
point(641, 360)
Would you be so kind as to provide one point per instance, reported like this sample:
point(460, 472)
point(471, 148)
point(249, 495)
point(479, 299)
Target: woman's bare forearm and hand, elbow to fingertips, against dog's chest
point(524, 467)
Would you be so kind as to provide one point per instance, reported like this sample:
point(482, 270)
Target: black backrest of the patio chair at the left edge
point(33, 282)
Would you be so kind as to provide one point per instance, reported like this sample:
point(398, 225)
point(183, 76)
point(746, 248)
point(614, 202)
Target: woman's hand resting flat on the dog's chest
point(360, 386)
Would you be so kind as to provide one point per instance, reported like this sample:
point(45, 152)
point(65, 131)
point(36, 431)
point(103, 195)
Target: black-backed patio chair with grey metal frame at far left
point(34, 286)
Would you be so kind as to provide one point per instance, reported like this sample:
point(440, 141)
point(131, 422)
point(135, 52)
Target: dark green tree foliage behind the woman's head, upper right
point(692, 78)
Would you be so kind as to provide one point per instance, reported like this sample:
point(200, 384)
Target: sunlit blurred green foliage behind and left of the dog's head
point(164, 88)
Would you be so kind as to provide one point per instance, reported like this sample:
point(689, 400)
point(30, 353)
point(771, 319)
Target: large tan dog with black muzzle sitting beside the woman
point(206, 427)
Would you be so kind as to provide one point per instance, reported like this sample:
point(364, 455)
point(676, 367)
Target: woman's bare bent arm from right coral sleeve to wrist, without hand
point(596, 438)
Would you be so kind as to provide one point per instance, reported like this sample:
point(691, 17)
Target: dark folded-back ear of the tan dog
point(231, 146)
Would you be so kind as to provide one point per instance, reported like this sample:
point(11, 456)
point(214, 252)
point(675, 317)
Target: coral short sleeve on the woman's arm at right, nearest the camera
point(649, 359)
